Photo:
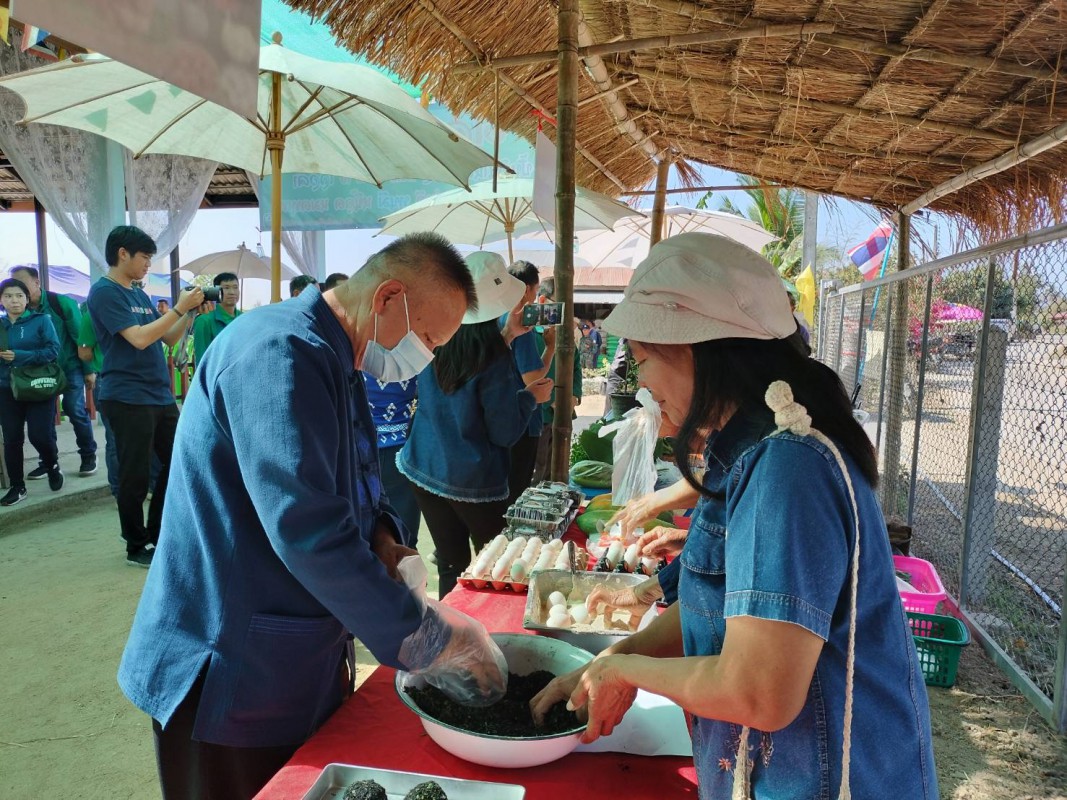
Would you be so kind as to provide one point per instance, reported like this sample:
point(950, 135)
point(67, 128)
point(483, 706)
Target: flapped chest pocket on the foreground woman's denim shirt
point(703, 588)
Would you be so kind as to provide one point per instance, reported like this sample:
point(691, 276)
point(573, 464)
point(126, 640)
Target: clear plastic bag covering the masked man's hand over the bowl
point(451, 651)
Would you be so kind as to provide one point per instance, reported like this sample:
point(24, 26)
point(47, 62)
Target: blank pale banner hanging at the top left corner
point(208, 47)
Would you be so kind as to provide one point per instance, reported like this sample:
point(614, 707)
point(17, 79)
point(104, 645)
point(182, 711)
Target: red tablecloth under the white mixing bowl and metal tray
point(373, 729)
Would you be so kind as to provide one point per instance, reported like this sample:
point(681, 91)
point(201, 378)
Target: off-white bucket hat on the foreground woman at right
point(697, 287)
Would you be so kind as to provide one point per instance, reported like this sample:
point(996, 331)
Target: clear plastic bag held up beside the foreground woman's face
point(634, 450)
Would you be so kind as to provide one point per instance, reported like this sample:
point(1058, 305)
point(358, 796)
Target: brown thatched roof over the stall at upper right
point(891, 99)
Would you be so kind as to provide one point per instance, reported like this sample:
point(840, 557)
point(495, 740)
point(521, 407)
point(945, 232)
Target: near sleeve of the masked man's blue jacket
point(285, 429)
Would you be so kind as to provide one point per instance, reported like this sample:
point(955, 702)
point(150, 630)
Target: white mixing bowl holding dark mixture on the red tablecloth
point(524, 654)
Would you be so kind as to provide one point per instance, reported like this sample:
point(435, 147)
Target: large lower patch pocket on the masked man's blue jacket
point(308, 652)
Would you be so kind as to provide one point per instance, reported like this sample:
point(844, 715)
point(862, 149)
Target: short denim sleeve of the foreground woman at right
point(789, 524)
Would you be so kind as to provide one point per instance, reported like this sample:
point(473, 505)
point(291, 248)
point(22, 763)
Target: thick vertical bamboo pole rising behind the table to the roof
point(567, 114)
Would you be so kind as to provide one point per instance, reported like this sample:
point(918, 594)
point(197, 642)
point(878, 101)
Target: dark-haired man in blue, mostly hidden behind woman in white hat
point(533, 365)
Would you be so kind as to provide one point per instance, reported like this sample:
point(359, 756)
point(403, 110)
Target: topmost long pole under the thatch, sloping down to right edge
point(1002, 67)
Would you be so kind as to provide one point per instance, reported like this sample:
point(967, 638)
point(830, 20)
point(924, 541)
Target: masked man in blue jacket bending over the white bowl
point(278, 543)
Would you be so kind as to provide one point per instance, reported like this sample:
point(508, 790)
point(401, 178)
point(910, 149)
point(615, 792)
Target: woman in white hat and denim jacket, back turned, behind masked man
point(473, 408)
